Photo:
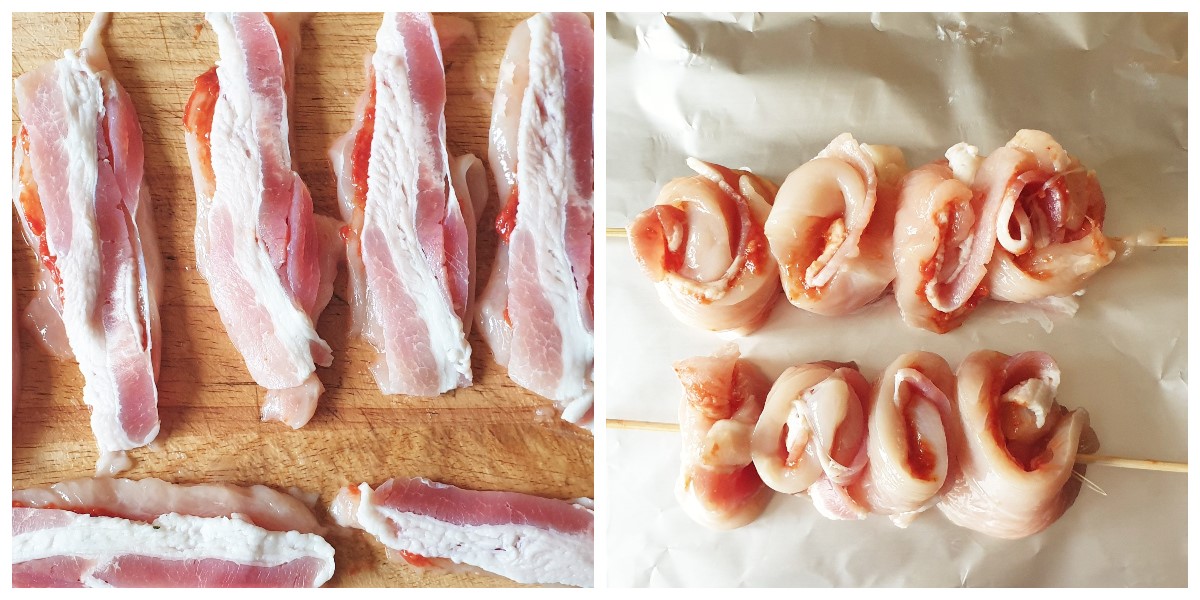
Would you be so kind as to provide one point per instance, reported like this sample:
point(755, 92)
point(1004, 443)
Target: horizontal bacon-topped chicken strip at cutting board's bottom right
point(525, 538)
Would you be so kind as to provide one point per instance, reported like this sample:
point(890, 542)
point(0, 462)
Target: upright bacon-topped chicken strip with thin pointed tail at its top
point(86, 212)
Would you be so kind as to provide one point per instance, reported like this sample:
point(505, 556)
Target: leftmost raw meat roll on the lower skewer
point(723, 398)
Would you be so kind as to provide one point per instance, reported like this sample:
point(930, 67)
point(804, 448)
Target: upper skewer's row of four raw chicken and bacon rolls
point(1021, 225)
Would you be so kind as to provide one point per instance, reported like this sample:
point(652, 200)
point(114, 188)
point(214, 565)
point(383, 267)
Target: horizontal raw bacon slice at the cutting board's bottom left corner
point(61, 549)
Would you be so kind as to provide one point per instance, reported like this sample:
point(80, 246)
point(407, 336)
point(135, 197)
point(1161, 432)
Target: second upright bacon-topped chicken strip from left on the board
point(269, 261)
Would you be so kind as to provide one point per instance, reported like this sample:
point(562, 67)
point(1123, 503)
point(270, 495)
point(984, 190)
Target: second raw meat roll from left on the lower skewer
point(813, 435)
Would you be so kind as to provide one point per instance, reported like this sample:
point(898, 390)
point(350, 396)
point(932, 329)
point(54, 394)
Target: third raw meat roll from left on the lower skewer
point(908, 447)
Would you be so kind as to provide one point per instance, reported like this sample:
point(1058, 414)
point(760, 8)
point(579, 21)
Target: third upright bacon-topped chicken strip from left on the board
point(411, 236)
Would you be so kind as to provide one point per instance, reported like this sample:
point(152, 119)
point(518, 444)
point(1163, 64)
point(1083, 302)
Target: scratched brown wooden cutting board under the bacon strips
point(493, 436)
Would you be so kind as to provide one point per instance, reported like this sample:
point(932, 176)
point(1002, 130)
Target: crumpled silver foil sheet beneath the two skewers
point(769, 92)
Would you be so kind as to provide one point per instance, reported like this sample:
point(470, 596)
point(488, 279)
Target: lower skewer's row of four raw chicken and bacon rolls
point(991, 447)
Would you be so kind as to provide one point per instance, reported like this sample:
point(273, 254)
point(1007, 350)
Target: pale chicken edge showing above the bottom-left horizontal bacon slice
point(149, 499)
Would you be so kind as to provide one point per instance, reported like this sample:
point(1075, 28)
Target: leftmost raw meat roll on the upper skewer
point(704, 248)
